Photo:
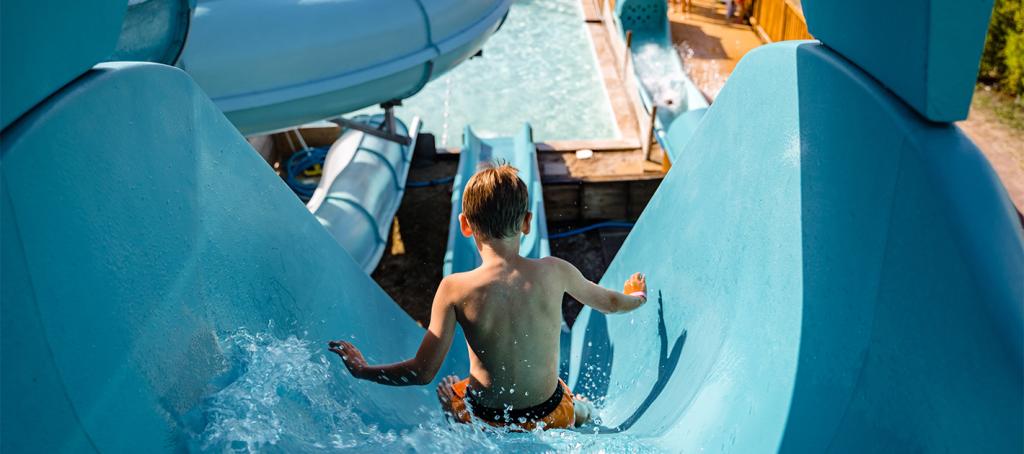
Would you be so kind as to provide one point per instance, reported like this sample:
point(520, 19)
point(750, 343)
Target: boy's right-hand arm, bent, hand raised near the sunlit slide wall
point(608, 302)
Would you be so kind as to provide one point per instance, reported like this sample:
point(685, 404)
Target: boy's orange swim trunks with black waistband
point(557, 412)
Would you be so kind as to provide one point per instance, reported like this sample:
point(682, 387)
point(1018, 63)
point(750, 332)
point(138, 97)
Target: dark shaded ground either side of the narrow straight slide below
point(412, 278)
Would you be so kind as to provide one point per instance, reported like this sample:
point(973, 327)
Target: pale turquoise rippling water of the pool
point(539, 68)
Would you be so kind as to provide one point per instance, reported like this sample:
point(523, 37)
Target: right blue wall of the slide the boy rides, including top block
point(830, 270)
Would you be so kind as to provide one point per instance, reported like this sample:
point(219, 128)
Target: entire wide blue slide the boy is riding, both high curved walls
point(837, 272)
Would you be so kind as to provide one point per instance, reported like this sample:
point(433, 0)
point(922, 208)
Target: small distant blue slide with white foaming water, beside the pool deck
point(663, 78)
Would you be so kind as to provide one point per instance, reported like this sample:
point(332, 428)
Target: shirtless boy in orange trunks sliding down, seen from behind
point(510, 310)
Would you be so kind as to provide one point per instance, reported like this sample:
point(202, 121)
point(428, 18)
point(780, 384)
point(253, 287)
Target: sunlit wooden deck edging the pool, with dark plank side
point(619, 182)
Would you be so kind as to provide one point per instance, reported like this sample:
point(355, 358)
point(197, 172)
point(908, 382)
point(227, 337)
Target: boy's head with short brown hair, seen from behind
point(496, 202)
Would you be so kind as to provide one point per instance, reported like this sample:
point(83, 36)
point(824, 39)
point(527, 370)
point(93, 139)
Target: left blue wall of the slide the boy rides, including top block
point(161, 233)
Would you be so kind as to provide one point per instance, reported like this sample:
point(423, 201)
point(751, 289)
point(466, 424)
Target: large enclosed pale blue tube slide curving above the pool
point(274, 64)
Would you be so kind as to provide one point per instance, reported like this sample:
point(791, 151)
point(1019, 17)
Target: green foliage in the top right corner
point(1003, 61)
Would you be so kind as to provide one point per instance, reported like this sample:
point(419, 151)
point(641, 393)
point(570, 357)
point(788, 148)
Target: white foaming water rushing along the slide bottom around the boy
point(287, 396)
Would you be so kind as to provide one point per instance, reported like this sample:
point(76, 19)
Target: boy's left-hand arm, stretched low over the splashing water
point(418, 370)
